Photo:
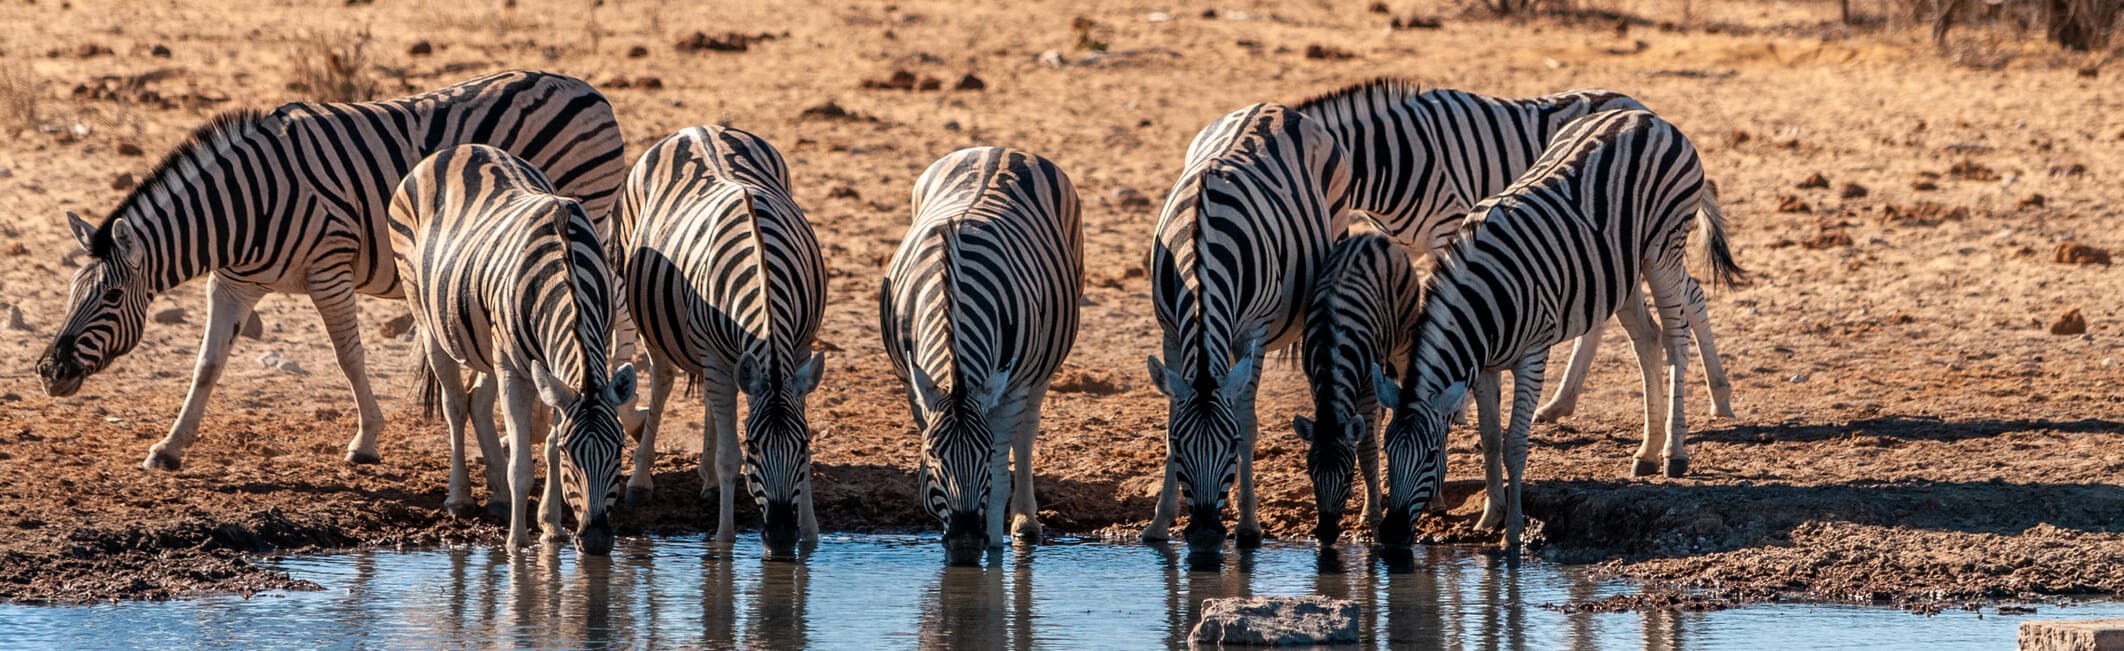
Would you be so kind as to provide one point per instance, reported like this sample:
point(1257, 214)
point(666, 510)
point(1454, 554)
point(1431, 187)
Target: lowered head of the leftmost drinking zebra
point(592, 448)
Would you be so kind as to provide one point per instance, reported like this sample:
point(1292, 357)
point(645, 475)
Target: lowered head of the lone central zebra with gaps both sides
point(961, 456)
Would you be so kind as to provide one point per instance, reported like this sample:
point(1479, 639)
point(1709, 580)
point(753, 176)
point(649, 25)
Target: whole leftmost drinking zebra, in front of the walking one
point(509, 280)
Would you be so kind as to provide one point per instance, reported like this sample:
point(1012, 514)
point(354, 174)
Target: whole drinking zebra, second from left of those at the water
point(730, 288)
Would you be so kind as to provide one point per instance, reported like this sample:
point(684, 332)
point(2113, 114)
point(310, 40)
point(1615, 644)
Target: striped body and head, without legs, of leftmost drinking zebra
point(511, 278)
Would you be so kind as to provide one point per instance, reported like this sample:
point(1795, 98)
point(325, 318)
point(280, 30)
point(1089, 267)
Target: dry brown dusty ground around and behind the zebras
point(1908, 424)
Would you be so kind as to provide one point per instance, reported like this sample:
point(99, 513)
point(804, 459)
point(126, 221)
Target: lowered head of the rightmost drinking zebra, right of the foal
point(1416, 448)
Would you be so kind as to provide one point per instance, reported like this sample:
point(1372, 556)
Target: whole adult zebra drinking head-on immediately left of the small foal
point(1237, 250)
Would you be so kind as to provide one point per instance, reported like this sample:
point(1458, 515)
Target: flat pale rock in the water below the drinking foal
point(1278, 622)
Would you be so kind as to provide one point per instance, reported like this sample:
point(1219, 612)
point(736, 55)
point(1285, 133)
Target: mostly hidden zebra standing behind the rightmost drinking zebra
point(1424, 158)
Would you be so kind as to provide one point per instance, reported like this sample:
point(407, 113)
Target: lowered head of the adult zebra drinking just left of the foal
point(1203, 437)
